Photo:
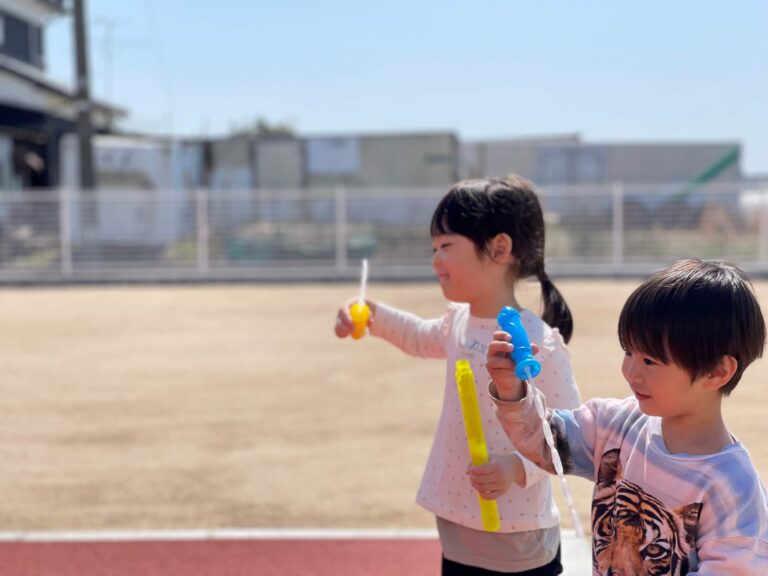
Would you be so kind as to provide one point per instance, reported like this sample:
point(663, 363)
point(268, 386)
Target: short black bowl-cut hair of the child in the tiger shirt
point(693, 313)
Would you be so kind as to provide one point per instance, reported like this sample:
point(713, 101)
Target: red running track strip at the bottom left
point(262, 557)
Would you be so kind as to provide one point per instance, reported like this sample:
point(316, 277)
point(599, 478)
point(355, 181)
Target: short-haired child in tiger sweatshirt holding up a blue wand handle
point(674, 493)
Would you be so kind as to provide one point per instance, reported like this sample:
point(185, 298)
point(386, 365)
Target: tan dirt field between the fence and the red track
point(236, 407)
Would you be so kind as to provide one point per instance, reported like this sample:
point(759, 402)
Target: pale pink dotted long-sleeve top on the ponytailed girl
point(445, 488)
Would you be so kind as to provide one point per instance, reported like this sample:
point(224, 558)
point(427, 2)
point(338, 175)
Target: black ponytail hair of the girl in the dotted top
point(482, 209)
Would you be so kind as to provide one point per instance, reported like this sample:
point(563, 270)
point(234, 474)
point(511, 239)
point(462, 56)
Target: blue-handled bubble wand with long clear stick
point(527, 368)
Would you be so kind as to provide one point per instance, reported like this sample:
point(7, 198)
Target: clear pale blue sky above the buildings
point(679, 70)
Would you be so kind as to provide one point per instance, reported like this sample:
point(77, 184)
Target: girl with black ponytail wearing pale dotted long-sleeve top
point(487, 235)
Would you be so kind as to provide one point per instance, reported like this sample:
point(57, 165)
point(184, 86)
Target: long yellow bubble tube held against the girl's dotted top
point(478, 452)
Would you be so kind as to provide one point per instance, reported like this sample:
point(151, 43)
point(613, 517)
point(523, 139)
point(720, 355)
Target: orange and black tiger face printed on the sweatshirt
point(635, 534)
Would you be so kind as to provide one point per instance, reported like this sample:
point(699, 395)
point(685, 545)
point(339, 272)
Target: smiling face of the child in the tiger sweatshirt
point(665, 390)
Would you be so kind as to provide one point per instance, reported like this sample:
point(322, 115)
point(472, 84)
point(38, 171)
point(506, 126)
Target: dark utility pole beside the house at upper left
point(83, 104)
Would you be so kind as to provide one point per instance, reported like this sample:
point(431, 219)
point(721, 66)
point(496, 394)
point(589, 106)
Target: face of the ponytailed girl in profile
point(459, 268)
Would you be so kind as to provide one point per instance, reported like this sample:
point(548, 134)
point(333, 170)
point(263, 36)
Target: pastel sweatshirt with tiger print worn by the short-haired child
point(653, 512)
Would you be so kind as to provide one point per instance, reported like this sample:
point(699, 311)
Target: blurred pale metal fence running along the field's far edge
point(311, 234)
